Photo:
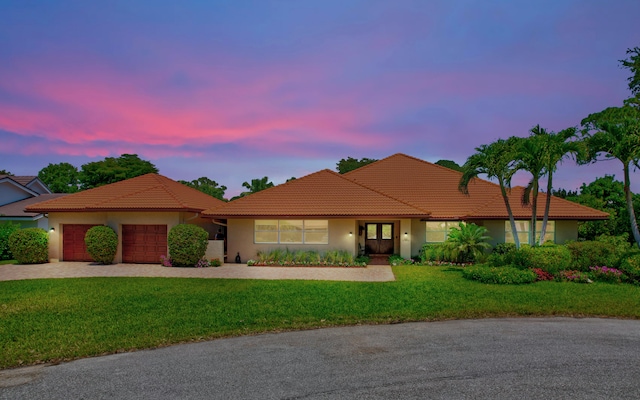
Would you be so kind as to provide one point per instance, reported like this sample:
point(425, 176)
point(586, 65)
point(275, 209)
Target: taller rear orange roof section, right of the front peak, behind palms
point(435, 188)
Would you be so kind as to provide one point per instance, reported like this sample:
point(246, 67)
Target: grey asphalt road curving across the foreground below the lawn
point(526, 358)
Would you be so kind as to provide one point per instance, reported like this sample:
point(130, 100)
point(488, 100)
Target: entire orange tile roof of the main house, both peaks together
point(398, 185)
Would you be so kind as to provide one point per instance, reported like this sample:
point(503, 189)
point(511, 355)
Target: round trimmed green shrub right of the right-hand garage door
point(187, 244)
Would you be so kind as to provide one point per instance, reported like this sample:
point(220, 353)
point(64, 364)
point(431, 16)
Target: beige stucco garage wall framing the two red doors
point(115, 220)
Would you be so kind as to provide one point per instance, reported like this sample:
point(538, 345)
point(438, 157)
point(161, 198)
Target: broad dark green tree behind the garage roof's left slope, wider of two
point(110, 170)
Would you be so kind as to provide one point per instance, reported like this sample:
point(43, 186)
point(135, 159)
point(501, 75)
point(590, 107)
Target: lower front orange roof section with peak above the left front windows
point(321, 194)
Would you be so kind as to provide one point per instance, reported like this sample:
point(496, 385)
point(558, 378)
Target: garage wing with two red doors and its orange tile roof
point(141, 211)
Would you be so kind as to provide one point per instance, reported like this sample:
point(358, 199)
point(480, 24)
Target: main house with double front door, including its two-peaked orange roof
point(392, 206)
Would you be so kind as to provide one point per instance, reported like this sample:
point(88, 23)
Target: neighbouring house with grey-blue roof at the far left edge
point(18, 192)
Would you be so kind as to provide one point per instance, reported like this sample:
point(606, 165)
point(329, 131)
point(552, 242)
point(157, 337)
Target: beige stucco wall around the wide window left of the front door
point(240, 239)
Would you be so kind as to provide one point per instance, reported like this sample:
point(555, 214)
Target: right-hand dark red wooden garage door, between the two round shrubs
point(143, 243)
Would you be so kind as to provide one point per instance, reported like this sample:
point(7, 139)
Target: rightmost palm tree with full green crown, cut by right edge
point(617, 135)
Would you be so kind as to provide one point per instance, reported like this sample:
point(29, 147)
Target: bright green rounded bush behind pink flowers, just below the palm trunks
point(551, 258)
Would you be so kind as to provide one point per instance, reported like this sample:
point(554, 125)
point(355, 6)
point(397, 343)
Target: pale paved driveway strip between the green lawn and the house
point(372, 273)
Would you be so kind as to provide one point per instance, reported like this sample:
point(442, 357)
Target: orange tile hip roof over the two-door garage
point(150, 192)
